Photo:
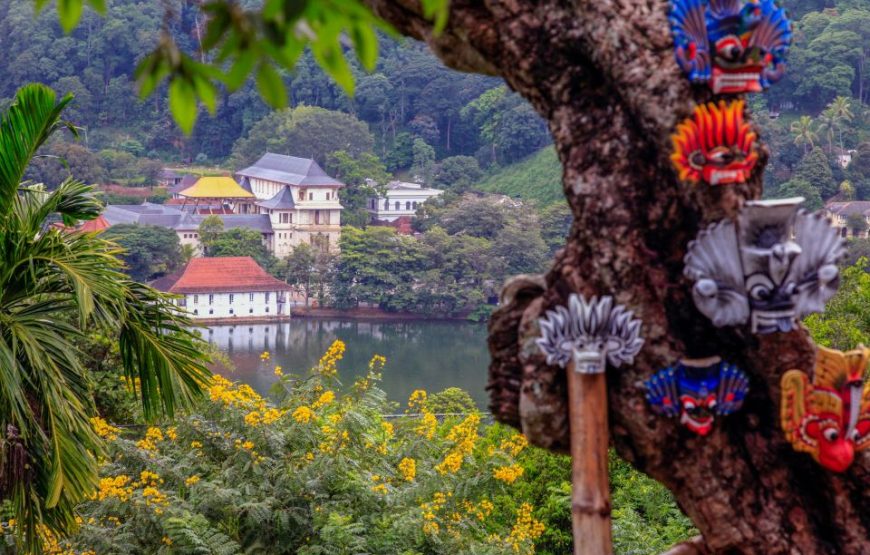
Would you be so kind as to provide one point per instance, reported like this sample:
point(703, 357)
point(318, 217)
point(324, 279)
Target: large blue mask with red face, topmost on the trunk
point(736, 46)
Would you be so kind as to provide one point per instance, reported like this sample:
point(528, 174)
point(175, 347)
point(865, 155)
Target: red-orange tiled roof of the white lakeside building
point(226, 275)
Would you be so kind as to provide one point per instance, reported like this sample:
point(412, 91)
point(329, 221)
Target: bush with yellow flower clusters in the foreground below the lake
point(322, 471)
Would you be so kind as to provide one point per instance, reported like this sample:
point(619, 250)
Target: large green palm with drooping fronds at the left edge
point(53, 286)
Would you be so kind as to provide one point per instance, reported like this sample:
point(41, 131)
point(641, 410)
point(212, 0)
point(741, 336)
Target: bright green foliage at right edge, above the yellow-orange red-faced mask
point(846, 320)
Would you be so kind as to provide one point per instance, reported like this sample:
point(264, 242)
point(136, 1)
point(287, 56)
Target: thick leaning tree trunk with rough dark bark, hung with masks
point(603, 75)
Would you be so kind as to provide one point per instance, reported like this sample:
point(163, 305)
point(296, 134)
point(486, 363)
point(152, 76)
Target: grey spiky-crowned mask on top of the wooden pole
point(591, 333)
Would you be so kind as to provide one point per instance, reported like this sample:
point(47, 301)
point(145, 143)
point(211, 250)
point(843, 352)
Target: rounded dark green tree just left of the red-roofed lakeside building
point(149, 251)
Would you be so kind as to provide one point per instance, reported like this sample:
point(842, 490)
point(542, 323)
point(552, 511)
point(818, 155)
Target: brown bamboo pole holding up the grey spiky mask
point(590, 495)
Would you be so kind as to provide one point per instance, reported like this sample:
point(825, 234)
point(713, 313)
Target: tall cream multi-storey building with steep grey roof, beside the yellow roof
point(300, 199)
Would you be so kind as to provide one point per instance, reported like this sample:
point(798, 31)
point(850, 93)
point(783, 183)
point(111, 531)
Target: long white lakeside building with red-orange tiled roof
point(228, 288)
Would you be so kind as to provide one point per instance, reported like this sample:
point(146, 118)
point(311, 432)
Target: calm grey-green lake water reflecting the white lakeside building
point(428, 355)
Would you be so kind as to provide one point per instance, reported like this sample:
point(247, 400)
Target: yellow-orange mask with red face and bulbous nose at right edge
point(829, 418)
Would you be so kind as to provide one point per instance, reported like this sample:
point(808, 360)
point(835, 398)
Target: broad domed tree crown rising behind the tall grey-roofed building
point(305, 131)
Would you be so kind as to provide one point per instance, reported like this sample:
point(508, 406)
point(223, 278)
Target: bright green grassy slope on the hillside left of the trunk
point(538, 177)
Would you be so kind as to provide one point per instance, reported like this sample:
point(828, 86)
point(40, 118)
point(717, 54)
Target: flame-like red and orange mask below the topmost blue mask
point(715, 145)
